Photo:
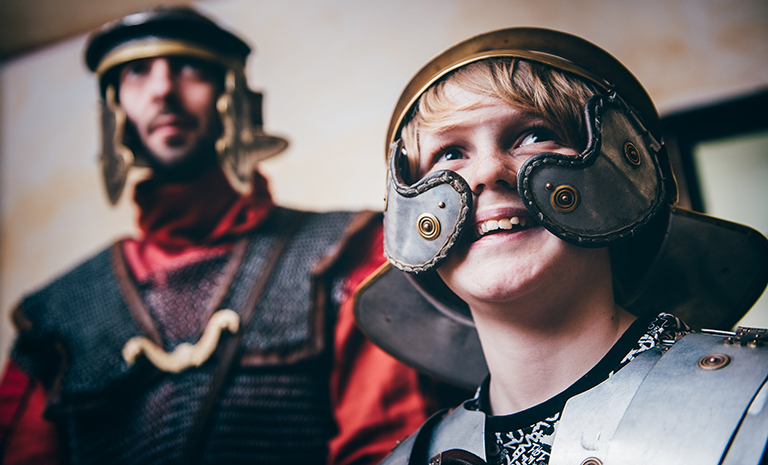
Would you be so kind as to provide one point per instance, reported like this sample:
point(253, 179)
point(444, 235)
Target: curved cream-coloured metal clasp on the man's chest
point(185, 355)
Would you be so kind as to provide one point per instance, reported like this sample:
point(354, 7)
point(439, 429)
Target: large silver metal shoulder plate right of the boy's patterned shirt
point(703, 402)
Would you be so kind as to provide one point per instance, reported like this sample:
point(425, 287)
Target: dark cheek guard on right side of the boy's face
point(608, 193)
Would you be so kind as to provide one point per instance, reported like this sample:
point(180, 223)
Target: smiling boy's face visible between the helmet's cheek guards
point(505, 253)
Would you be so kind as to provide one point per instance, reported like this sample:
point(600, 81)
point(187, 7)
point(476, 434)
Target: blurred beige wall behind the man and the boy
point(332, 71)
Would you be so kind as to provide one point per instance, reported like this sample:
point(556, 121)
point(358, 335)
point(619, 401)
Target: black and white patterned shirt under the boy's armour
point(525, 438)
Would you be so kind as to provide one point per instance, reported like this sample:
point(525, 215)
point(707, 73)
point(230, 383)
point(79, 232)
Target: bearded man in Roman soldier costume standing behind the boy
point(224, 333)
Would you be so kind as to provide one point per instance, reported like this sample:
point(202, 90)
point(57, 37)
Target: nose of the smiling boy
point(493, 169)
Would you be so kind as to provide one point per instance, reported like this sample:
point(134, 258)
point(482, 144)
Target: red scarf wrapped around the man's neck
point(183, 222)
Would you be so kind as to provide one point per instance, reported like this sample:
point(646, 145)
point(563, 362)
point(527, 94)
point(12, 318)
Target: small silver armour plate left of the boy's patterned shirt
point(461, 429)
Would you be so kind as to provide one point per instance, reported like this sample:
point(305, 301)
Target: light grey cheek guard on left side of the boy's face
point(422, 222)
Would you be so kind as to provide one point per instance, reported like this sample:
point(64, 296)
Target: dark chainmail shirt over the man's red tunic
point(272, 410)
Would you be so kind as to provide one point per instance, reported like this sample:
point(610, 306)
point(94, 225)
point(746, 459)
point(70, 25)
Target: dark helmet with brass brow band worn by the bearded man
point(179, 31)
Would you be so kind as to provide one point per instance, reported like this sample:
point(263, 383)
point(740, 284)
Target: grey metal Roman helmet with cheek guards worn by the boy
point(620, 192)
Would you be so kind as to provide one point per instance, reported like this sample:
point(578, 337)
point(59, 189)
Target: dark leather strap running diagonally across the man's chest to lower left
point(201, 428)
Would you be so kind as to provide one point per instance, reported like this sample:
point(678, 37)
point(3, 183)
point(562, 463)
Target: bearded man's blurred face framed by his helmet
point(171, 104)
